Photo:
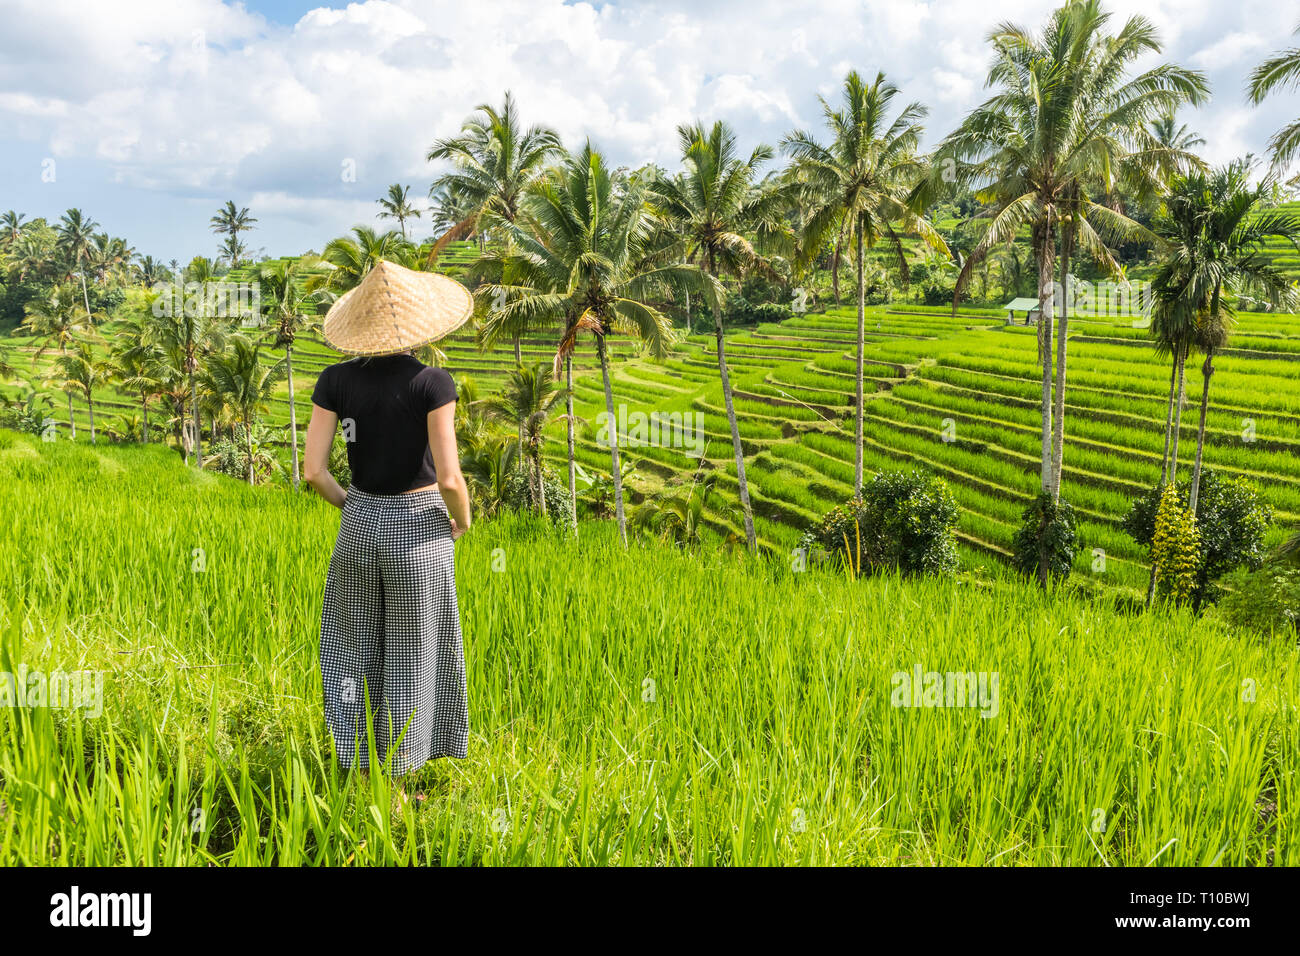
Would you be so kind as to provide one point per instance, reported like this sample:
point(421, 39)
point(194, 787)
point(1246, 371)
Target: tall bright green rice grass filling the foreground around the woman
point(640, 707)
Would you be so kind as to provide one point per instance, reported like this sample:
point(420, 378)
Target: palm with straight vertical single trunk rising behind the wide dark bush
point(859, 189)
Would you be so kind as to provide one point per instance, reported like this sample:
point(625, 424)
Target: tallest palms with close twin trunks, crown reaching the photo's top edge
point(1065, 123)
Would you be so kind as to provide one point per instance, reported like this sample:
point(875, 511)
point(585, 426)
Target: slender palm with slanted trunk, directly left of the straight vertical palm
point(713, 205)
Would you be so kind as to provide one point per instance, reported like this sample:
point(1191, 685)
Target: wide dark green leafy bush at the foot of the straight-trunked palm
point(903, 521)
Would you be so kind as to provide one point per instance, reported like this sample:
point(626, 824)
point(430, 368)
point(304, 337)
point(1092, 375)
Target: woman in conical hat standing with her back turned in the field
point(391, 626)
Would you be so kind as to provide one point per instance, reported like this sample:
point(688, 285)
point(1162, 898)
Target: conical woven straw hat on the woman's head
point(395, 310)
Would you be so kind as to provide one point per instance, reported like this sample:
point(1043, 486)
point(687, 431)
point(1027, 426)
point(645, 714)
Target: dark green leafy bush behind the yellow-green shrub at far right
point(1230, 524)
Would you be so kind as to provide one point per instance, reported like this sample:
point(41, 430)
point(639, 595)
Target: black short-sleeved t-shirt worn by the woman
point(383, 405)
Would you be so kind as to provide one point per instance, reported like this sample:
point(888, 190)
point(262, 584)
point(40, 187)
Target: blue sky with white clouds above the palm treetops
point(150, 114)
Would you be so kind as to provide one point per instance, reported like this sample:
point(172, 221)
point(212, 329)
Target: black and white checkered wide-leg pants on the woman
point(391, 626)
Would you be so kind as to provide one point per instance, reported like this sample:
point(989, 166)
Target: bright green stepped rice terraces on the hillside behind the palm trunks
point(955, 395)
